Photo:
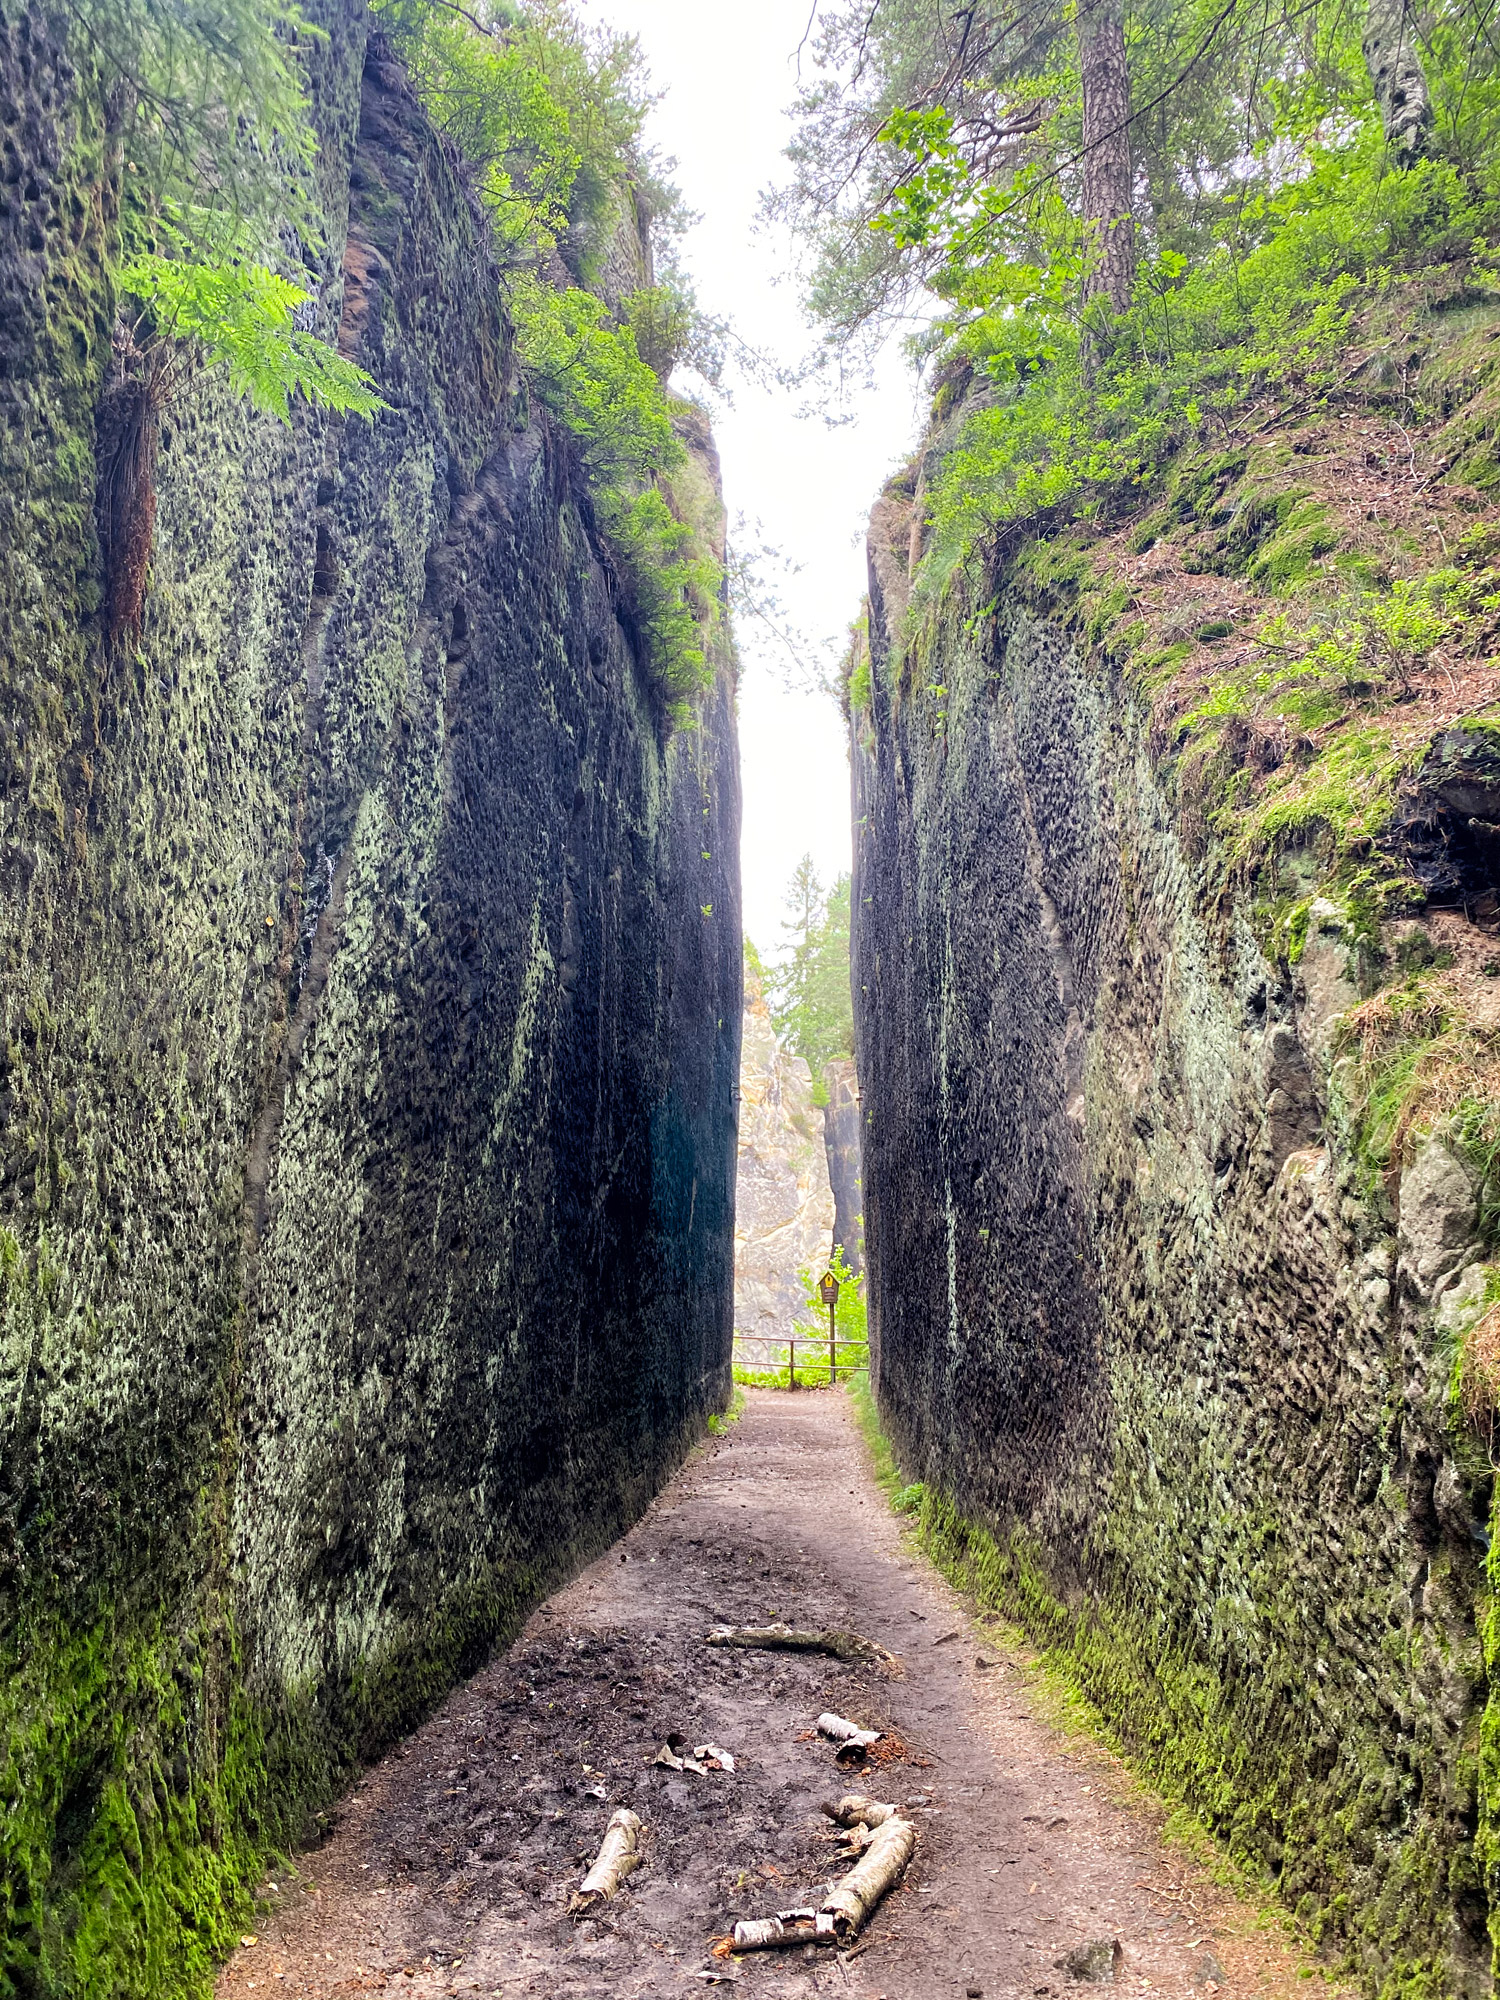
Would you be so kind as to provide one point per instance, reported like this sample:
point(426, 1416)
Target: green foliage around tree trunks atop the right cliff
point(939, 155)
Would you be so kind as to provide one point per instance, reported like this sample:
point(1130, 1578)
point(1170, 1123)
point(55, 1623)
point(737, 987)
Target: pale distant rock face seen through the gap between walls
point(785, 1205)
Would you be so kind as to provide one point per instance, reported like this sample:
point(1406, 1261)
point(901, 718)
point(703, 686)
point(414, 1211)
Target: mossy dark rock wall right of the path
point(1157, 1321)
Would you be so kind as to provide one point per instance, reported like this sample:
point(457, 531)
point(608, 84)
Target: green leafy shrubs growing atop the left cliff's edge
point(549, 117)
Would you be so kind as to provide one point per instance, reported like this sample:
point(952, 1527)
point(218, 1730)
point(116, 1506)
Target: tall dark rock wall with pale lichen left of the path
point(371, 1031)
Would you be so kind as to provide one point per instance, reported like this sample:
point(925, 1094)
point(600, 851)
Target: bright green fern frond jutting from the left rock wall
point(245, 319)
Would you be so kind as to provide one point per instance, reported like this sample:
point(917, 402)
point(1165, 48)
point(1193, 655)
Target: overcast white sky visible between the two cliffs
point(727, 75)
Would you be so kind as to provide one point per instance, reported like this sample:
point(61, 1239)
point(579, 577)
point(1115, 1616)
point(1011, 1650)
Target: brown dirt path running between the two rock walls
point(453, 1861)
